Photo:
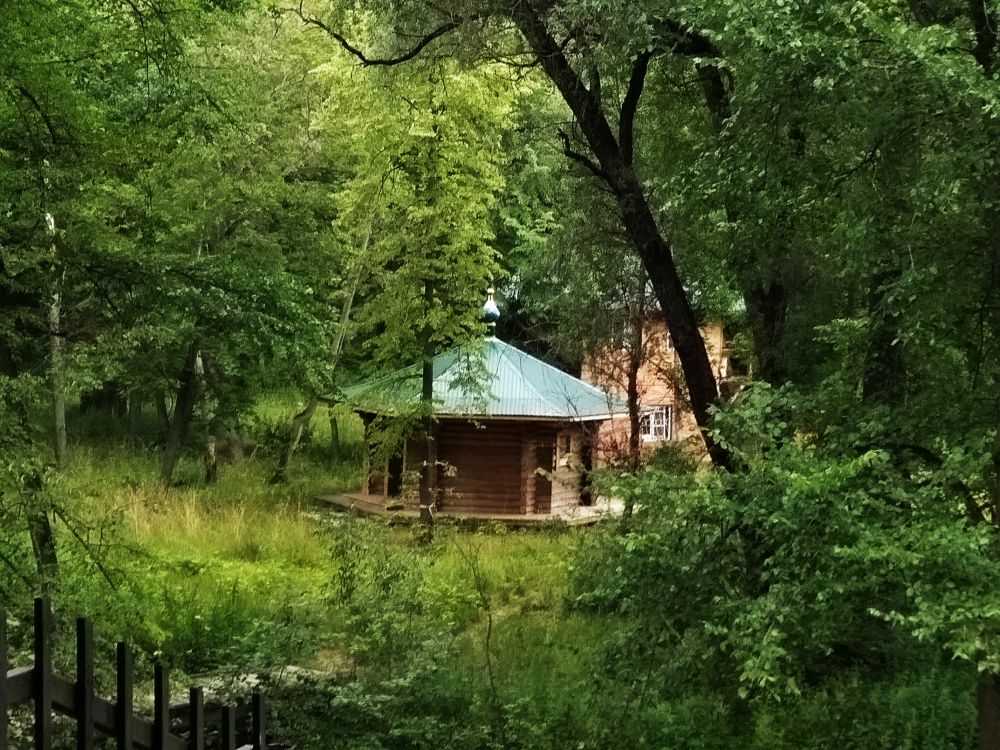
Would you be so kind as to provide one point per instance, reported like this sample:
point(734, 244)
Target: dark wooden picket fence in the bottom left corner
point(51, 693)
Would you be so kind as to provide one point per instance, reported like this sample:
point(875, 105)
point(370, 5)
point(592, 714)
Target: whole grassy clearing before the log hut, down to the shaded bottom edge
point(466, 642)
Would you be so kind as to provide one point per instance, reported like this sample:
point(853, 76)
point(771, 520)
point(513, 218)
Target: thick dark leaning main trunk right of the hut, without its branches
point(637, 217)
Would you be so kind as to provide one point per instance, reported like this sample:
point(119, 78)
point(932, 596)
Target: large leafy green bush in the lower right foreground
point(774, 585)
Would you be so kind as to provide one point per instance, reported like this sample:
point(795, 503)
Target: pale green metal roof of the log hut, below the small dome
point(493, 379)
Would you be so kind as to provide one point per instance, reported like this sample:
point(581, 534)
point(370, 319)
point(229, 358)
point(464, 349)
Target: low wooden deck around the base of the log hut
point(369, 505)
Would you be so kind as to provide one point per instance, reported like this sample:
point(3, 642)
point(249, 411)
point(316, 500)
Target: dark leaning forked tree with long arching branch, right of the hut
point(557, 37)
